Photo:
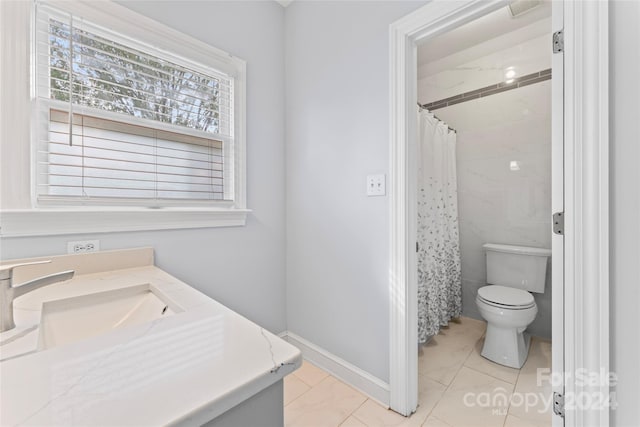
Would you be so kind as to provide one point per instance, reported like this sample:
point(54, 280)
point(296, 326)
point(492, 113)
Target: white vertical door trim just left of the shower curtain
point(403, 382)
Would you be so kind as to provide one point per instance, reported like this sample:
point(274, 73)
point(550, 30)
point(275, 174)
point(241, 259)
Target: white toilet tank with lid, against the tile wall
point(519, 267)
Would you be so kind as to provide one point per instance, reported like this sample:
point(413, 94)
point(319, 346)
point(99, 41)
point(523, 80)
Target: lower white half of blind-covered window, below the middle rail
point(108, 159)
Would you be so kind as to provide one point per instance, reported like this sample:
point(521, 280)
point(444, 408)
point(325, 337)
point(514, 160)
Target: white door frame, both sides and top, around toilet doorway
point(584, 306)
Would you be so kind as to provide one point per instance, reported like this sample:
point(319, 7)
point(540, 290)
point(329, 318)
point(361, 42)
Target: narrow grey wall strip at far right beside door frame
point(624, 68)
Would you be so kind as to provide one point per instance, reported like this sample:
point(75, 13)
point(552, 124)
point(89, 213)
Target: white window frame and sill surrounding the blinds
point(21, 218)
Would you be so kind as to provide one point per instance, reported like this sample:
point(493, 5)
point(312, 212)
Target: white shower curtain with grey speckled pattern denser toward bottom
point(439, 275)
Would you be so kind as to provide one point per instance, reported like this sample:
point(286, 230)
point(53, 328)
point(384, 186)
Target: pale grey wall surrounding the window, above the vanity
point(242, 267)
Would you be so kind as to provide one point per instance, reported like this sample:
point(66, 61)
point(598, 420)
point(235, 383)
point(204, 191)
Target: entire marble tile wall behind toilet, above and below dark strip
point(504, 144)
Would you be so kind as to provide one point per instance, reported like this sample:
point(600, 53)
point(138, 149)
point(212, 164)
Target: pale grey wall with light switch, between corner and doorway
point(337, 132)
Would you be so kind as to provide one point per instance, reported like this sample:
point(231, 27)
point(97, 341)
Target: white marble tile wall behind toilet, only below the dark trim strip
point(504, 183)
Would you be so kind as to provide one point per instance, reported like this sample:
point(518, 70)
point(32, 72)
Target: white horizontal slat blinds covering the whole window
point(120, 122)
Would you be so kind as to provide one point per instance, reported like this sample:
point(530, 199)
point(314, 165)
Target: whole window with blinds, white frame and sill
point(114, 122)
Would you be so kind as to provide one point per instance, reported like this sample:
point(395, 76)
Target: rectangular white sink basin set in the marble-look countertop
point(74, 319)
